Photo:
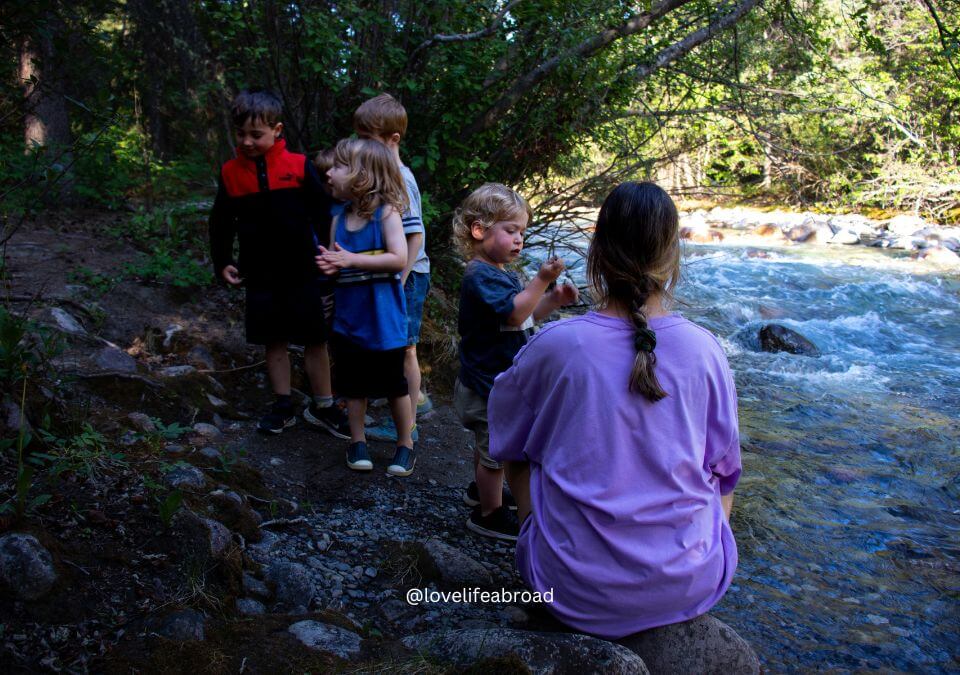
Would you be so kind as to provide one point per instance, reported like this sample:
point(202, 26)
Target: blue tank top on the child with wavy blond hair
point(370, 306)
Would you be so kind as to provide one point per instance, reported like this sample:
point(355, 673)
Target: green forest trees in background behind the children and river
point(832, 104)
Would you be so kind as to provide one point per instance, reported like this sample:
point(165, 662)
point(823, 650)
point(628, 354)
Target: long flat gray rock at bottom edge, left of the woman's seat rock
point(543, 653)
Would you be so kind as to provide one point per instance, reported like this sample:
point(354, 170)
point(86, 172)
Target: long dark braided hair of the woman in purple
point(634, 255)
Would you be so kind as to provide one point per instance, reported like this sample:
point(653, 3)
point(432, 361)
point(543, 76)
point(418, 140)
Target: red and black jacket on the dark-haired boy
point(276, 207)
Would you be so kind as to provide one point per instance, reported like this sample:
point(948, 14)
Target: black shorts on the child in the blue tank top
point(363, 373)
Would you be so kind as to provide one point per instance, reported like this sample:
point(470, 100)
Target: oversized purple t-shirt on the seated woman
point(626, 524)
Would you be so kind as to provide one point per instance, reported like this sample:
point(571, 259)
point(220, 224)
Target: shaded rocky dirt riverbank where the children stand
point(159, 532)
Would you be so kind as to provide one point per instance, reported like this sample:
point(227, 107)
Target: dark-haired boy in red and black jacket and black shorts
point(273, 202)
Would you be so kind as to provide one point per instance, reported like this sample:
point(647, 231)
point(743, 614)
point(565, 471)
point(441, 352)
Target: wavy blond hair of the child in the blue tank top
point(374, 177)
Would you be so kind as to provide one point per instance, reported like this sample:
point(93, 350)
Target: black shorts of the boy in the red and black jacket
point(294, 315)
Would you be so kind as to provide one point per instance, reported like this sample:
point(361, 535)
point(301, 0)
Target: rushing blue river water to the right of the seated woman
point(847, 517)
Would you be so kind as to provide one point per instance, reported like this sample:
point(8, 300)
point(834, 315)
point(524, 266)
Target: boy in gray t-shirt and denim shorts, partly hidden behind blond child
point(383, 118)
